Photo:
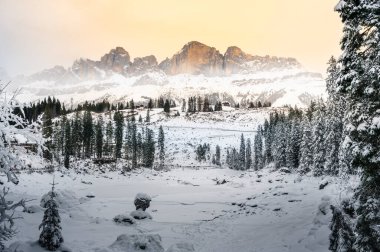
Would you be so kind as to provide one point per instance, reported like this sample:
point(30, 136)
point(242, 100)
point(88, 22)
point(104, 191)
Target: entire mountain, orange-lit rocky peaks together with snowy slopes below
point(196, 69)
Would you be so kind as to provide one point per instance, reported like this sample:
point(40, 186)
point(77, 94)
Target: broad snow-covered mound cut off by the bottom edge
point(137, 243)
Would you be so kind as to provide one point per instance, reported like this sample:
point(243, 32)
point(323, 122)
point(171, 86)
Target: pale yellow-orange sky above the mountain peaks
point(39, 34)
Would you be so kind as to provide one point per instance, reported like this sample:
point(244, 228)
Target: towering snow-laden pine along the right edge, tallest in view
point(358, 82)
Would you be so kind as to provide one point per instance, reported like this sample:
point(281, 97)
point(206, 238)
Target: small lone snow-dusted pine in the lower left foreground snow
point(51, 237)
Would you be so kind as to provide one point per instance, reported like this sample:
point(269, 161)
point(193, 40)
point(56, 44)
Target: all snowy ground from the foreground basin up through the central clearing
point(213, 208)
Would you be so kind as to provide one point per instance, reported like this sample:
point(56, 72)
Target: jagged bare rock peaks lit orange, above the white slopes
point(194, 58)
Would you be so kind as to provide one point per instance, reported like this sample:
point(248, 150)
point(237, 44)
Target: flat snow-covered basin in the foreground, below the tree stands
point(252, 211)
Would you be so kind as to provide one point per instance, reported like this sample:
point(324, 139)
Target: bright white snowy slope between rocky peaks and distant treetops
point(281, 87)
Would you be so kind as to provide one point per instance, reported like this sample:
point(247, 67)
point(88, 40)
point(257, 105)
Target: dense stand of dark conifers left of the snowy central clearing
point(114, 137)
